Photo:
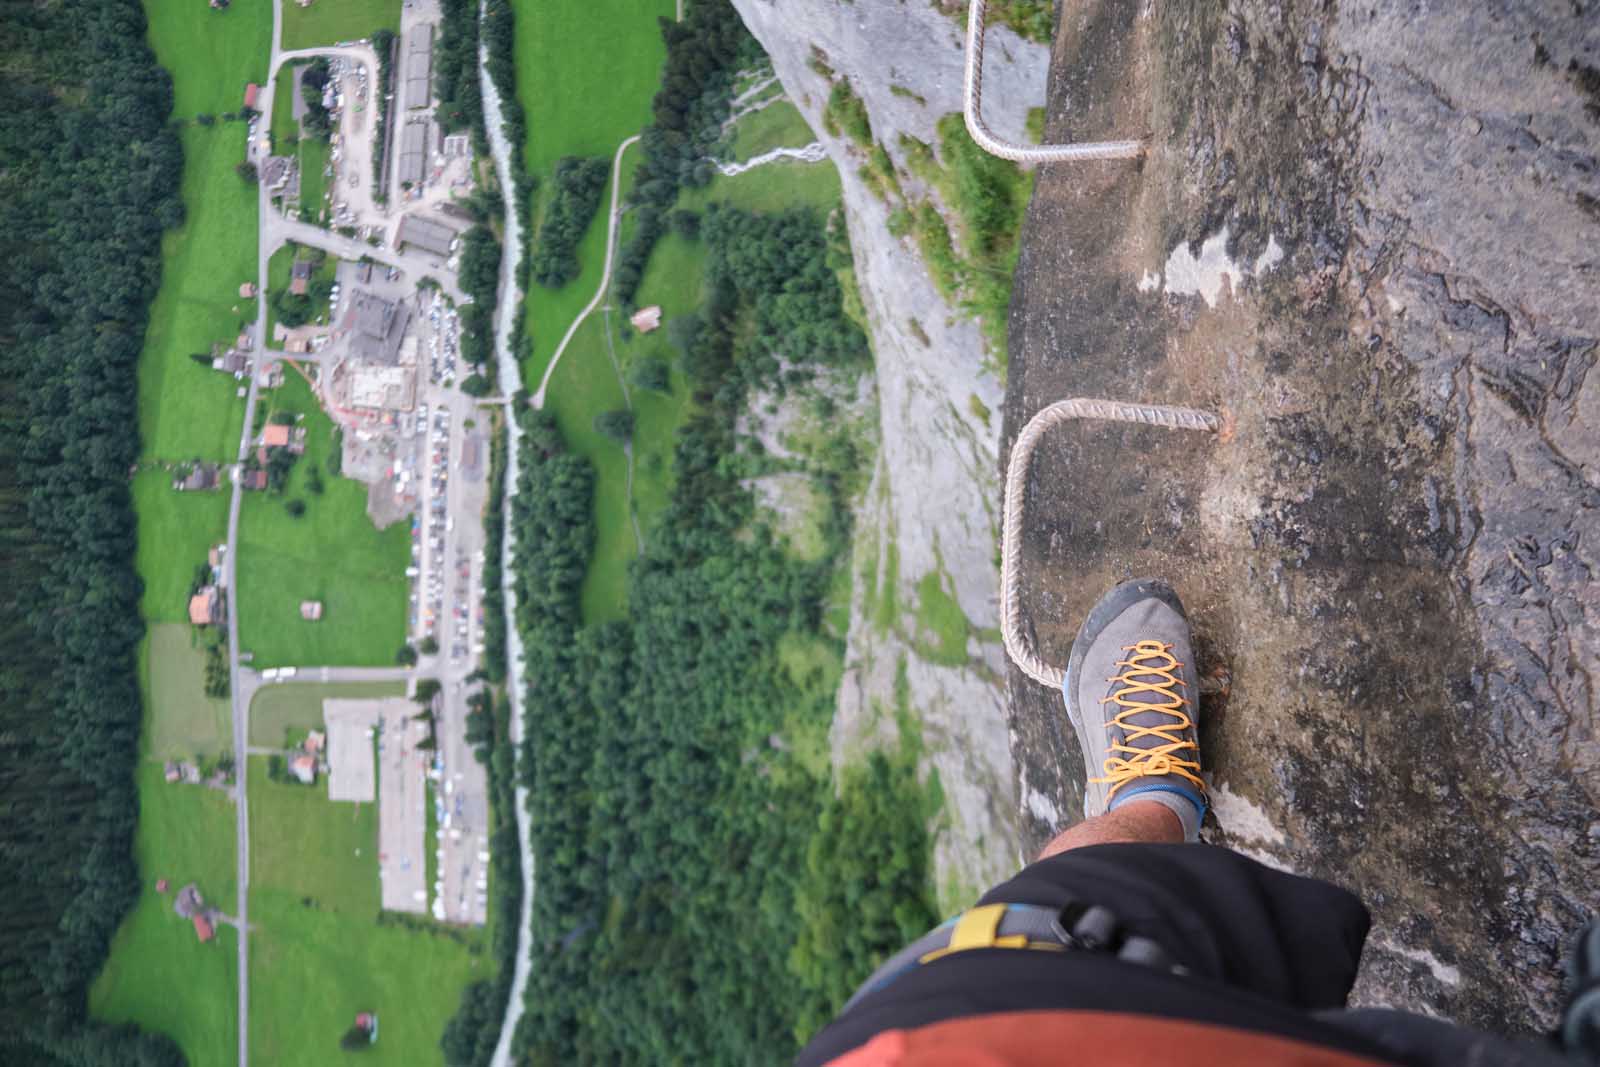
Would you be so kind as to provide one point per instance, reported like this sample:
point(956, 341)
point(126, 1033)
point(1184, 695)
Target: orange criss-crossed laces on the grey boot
point(1127, 762)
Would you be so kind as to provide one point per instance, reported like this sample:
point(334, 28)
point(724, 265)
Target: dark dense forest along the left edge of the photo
point(94, 172)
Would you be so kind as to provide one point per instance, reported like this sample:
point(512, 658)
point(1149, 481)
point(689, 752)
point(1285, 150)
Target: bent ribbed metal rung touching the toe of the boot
point(1012, 625)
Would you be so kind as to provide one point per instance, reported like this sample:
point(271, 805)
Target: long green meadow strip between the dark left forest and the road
point(158, 973)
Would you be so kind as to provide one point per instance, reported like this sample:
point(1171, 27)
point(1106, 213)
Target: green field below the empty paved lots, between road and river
point(319, 953)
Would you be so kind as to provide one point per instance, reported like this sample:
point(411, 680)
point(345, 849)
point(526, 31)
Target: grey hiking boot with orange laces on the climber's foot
point(1134, 697)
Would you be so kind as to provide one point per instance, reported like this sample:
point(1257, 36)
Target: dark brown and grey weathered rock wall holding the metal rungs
point(1369, 239)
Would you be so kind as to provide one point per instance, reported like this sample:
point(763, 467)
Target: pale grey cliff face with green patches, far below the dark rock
point(929, 527)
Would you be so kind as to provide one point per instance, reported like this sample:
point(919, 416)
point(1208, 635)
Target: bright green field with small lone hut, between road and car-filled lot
point(332, 554)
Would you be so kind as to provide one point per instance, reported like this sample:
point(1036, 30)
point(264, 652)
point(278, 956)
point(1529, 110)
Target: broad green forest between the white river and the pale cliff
point(694, 871)
